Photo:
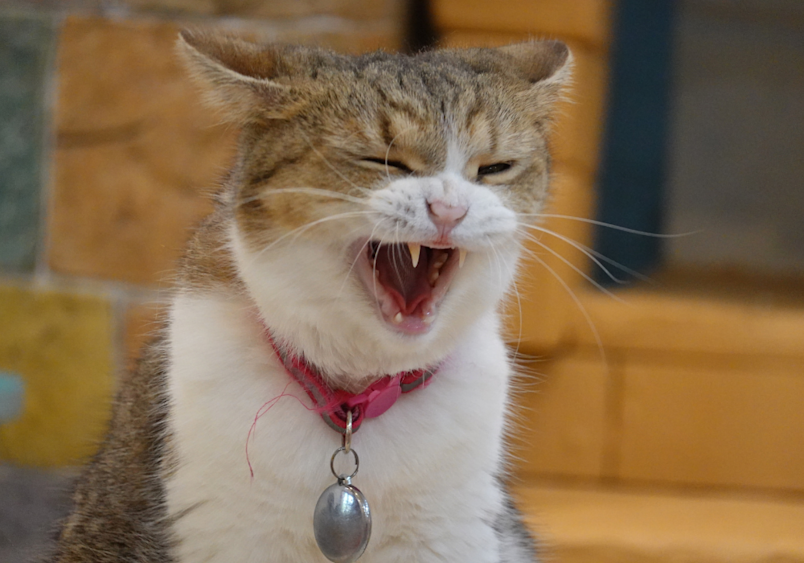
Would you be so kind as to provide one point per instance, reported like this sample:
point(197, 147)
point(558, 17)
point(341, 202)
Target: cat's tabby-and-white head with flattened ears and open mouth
point(380, 198)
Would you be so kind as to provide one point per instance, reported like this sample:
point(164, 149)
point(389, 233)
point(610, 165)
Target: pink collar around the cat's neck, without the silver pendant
point(333, 404)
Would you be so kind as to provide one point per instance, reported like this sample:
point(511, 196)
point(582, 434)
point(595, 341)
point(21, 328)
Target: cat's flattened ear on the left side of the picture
point(238, 77)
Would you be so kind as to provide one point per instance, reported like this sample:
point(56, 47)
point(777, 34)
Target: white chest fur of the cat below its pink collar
point(426, 466)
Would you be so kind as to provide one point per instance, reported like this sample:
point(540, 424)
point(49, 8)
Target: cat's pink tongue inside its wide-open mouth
point(408, 286)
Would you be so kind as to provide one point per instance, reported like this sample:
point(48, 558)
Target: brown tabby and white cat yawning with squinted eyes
point(370, 227)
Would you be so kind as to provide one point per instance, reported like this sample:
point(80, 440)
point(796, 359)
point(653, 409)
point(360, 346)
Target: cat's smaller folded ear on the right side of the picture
point(544, 64)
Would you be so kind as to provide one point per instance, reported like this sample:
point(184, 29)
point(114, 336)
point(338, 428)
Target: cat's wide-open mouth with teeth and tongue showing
point(408, 281)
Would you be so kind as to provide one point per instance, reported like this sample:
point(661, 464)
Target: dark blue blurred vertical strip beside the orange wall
point(634, 160)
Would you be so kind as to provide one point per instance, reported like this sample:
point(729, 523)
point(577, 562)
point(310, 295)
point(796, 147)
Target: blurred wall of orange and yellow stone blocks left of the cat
point(106, 156)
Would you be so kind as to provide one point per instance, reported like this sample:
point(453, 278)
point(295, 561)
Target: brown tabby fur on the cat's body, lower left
point(119, 500)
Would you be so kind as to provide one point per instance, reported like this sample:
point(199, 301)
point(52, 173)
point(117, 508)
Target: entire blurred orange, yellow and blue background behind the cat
point(661, 408)
